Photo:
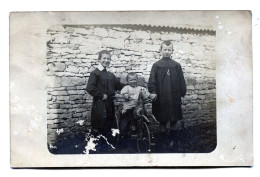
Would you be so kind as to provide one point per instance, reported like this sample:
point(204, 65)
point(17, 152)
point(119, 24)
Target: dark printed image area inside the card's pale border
point(131, 89)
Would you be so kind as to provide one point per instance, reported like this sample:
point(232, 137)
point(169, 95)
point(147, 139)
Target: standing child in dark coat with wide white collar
point(102, 85)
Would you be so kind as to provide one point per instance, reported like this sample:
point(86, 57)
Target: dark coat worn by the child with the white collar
point(102, 112)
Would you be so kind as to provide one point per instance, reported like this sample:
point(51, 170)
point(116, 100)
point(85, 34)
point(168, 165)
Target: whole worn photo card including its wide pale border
point(131, 89)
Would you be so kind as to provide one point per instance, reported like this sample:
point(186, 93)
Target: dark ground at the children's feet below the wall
point(196, 139)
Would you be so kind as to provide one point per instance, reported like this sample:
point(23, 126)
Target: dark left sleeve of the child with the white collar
point(92, 86)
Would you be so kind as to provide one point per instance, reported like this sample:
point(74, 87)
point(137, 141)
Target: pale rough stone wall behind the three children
point(72, 55)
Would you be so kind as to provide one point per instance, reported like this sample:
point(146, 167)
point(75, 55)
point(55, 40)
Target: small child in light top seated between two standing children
point(131, 93)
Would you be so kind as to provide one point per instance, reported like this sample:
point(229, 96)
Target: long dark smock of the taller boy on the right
point(167, 81)
